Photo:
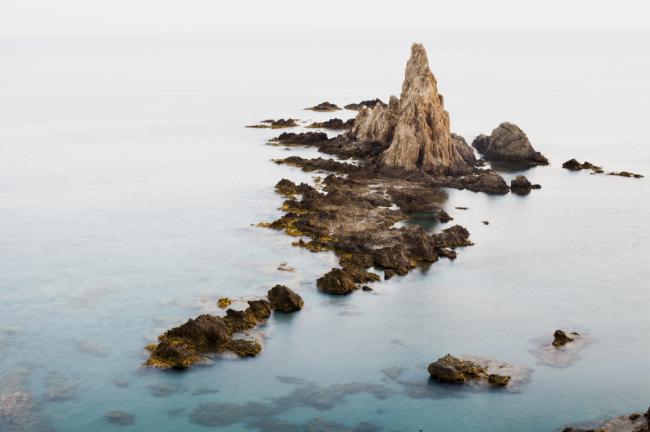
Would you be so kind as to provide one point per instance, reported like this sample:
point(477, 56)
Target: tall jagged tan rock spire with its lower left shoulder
point(417, 128)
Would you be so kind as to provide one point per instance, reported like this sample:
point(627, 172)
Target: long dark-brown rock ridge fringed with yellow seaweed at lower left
point(189, 343)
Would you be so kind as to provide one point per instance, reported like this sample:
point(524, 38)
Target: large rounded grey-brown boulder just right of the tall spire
point(510, 144)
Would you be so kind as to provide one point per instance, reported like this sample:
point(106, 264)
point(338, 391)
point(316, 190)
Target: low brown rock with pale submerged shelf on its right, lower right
point(477, 371)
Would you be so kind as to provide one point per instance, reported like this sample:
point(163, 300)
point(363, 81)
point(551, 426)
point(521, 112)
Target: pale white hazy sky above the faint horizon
point(71, 17)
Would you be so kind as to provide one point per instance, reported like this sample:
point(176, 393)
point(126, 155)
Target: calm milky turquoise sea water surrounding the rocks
point(129, 191)
